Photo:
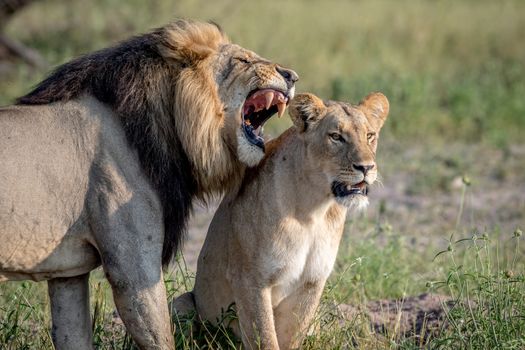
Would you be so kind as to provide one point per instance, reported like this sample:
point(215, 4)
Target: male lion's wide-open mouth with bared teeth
point(259, 106)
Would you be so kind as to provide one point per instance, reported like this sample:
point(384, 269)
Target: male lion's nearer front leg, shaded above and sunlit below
point(129, 237)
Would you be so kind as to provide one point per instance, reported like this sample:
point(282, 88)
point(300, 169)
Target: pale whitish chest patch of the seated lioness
point(302, 255)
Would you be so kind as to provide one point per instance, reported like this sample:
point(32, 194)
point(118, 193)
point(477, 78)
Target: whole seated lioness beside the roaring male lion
point(273, 242)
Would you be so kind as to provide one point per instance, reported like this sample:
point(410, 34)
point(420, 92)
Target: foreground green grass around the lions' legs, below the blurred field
point(483, 272)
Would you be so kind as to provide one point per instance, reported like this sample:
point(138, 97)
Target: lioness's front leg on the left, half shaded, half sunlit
point(256, 323)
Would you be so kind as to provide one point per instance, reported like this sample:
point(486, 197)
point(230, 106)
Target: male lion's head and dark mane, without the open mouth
point(178, 92)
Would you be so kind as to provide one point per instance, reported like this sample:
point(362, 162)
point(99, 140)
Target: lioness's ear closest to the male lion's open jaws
point(305, 110)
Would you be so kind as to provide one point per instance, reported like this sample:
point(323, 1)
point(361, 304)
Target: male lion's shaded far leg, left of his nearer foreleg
point(69, 299)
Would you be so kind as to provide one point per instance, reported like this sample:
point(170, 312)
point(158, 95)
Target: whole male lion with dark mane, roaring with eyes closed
point(101, 161)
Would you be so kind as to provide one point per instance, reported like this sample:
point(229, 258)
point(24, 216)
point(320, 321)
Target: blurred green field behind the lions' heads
point(451, 69)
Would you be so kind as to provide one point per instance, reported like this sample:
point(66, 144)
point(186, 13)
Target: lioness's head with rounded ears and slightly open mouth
point(342, 140)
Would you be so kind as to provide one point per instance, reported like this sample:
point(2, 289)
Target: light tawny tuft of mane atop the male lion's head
point(189, 42)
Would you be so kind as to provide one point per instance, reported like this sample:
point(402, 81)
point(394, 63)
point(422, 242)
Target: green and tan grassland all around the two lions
point(454, 74)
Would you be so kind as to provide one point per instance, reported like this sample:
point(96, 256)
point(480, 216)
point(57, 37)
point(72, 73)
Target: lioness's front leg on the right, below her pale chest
point(295, 313)
